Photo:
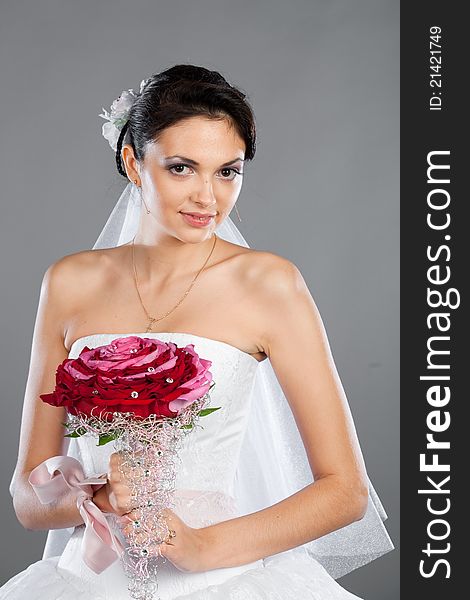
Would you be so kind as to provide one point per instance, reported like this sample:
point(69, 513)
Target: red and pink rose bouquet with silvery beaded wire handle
point(144, 395)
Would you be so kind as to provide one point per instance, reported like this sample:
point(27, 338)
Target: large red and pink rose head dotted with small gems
point(131, 374)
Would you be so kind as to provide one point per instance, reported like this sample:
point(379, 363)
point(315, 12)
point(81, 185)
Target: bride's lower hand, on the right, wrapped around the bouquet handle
point(186, 550)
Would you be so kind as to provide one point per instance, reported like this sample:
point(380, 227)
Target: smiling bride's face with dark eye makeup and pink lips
point(196, 166)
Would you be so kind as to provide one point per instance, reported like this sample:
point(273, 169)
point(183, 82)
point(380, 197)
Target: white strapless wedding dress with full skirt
point(204, 495)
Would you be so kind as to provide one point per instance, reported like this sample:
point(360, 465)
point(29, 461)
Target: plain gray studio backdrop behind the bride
point(323, 77)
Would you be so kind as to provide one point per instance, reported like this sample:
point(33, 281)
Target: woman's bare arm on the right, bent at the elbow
point(292, 326)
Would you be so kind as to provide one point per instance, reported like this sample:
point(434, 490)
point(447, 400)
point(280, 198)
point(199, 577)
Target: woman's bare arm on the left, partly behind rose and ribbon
point(42, 432)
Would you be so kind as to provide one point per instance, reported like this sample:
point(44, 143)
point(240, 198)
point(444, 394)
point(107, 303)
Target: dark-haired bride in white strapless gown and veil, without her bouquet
point(182, 143)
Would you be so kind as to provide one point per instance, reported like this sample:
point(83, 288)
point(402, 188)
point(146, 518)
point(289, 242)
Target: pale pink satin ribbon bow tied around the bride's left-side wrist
point(59, 474)
